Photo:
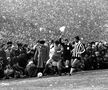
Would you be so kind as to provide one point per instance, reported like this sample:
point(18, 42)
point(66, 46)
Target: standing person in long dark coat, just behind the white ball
point(41, 56)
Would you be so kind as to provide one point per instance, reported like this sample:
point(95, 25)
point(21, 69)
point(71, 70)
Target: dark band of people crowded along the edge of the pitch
point(55, 57)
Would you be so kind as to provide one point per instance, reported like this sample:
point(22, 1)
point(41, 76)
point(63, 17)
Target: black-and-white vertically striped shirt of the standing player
point(78, 48)
